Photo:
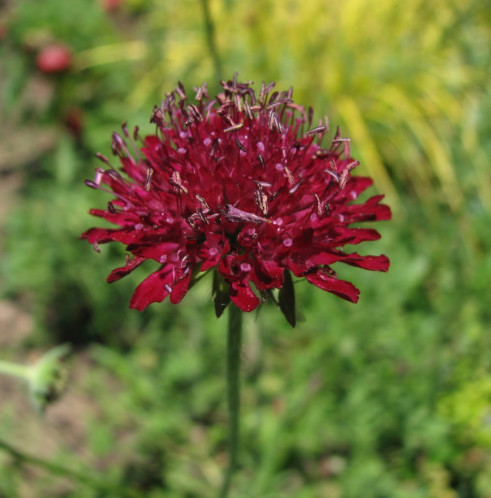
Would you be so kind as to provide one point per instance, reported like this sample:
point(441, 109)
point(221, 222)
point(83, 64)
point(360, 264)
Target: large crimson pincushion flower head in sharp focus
point(239, 185)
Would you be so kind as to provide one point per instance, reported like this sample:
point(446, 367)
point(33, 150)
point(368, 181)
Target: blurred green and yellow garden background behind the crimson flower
point(387, 398)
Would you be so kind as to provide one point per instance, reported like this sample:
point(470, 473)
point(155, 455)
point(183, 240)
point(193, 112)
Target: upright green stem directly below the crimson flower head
point(233, 392)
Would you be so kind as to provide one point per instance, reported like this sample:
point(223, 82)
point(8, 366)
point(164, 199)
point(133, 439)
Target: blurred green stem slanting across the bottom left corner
point(62, 471)
